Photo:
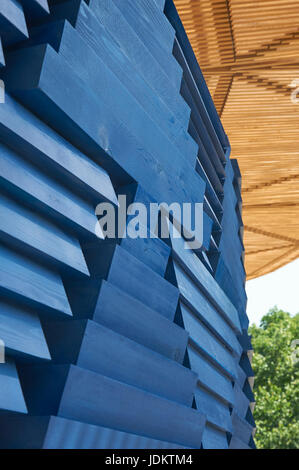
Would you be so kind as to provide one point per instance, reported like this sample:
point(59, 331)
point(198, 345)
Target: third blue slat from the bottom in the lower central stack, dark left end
point(95, 347)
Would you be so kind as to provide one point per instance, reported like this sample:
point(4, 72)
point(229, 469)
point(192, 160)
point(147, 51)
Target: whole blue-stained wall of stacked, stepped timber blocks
point(127, 344)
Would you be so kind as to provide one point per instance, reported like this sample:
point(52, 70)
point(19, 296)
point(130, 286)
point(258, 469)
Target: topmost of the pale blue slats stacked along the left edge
point(30, 137)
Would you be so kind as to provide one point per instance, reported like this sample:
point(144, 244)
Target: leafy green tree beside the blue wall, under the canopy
point(276, 380)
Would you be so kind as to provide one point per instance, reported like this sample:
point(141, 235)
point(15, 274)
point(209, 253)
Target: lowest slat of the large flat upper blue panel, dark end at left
point(55, 104)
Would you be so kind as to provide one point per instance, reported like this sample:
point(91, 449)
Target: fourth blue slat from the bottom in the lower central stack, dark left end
point(126, 315)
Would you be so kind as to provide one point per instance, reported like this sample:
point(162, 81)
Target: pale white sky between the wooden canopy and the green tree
point(279, 288)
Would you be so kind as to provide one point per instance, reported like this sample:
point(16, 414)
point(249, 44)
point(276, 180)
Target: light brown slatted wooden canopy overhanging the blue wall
point(248, 51)
